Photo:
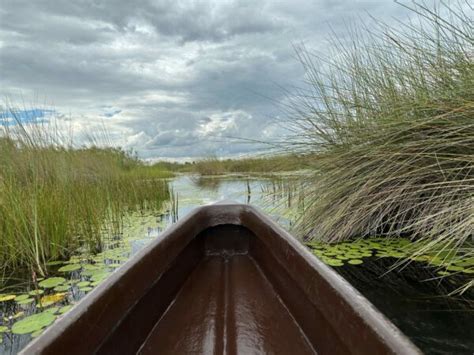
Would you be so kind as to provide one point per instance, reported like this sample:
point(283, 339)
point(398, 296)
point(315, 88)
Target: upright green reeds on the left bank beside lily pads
point(55, 199)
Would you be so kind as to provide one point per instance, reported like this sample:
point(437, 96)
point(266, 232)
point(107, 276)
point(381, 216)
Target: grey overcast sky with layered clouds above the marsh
point(171, 79)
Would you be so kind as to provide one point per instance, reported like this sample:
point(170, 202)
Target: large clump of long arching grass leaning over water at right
point(391, 118)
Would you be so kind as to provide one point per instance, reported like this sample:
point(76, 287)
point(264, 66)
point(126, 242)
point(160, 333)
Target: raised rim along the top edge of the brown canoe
point(224, 213)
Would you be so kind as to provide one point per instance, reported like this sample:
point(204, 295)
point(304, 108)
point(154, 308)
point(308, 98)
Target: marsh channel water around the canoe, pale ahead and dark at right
point(420, 308)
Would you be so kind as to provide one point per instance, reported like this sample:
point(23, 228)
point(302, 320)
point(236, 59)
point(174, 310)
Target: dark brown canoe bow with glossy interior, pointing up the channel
point(224, 280)
